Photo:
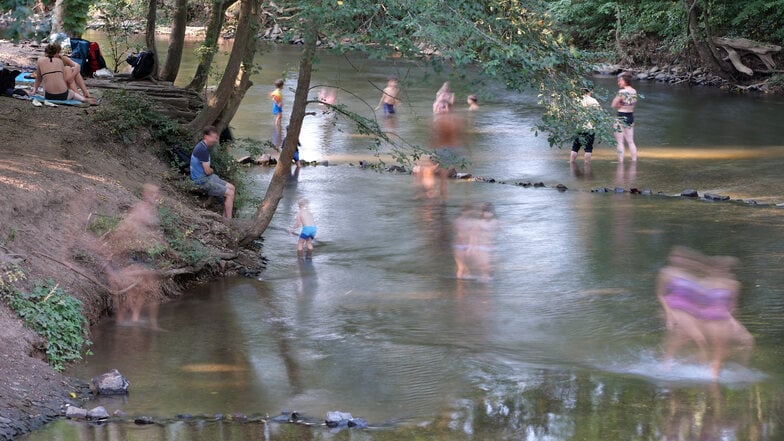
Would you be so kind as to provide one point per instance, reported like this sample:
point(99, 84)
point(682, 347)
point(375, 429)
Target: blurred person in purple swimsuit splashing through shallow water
point(699, 294)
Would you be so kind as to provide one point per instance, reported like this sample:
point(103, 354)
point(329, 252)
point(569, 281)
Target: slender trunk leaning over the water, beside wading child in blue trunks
point(274, 193)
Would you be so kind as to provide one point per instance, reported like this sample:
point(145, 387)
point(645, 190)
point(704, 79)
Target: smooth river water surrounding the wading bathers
point(564, 341)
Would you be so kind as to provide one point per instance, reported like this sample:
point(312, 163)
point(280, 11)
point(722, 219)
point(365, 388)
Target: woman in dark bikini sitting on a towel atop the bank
point(60, 76)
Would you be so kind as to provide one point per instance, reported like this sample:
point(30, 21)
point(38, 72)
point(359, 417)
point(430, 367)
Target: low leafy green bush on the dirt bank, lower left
point(55, 316)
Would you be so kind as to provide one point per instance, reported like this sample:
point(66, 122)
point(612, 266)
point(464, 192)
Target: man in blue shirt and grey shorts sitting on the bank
point(204, 176)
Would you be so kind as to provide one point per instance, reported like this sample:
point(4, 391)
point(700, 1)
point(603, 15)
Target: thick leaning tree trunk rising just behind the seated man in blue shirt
point(218, 101)
